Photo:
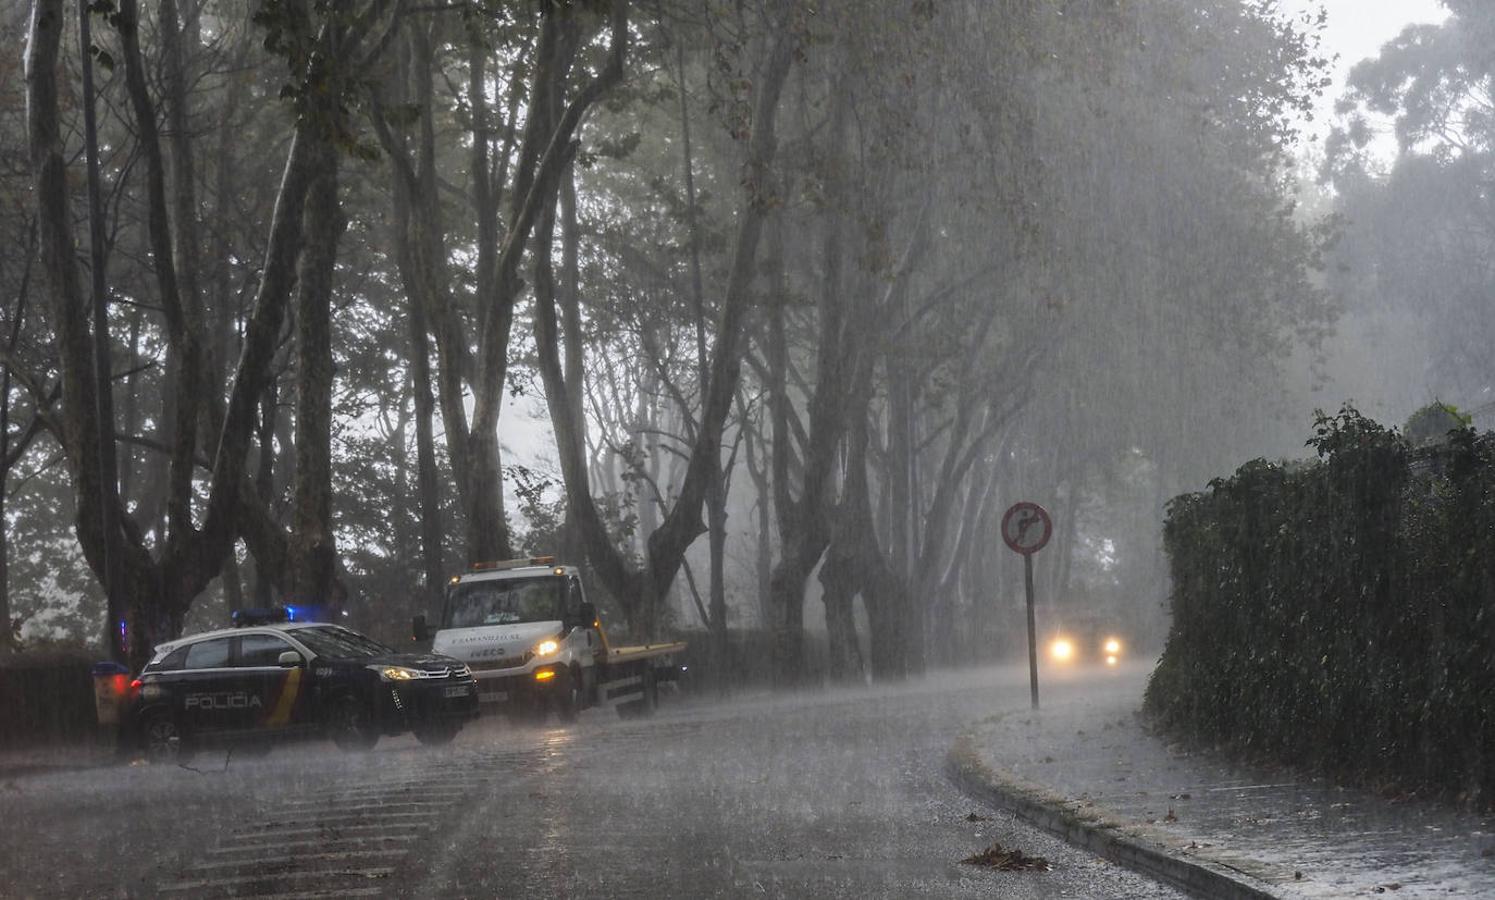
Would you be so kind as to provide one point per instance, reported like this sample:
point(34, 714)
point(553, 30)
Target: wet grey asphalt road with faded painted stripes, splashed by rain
point(836, 795)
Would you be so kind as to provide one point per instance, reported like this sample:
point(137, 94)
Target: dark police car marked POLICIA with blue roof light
point(270, 678)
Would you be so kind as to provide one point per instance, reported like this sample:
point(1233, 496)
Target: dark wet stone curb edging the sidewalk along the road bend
point(1092, 832)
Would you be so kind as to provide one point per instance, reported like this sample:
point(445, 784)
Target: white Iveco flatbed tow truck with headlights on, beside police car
point(536, 644)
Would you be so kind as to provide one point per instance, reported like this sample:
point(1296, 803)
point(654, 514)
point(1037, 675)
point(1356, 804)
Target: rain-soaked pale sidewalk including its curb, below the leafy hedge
point(1088, 768)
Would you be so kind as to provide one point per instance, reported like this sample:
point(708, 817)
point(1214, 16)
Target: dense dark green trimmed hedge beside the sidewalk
point(1340, 615)
